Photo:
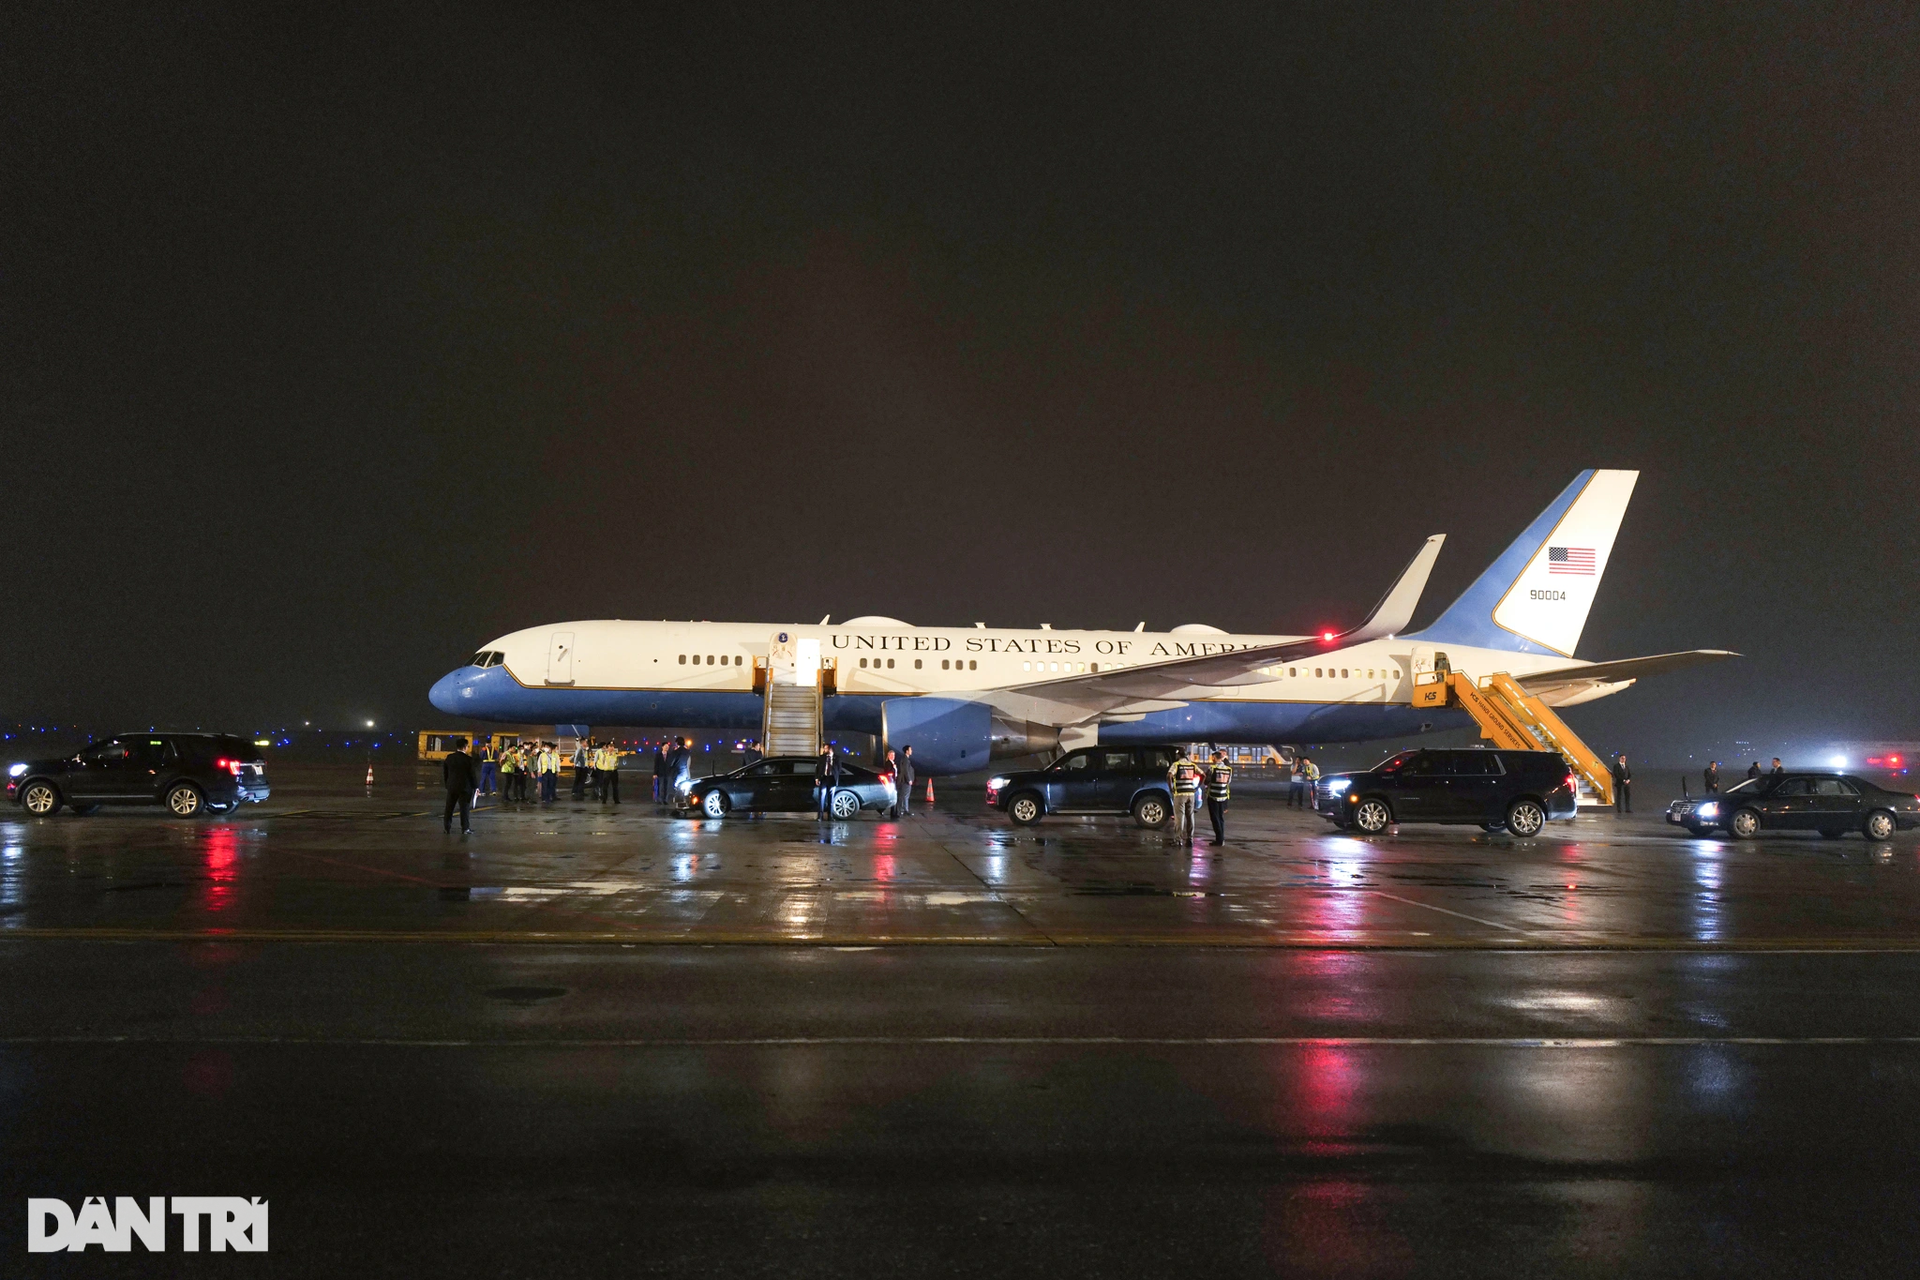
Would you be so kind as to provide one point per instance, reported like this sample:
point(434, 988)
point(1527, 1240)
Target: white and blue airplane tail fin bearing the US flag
point(1537, 596)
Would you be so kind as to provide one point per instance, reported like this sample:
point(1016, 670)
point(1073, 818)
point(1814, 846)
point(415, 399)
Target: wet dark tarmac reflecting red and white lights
point(594, 1041)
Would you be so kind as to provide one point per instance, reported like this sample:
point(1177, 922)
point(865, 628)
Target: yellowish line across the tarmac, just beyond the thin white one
point(1295, 943)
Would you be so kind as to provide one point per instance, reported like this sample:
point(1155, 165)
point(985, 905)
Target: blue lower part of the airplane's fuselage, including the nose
point(491, 694)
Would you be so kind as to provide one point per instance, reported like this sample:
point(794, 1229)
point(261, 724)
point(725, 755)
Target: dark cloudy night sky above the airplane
point(341, 344)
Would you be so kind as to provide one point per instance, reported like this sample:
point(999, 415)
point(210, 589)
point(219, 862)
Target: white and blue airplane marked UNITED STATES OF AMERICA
point(965, 698)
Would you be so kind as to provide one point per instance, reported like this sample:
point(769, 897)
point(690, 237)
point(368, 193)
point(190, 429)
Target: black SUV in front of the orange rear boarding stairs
point(1514, 790)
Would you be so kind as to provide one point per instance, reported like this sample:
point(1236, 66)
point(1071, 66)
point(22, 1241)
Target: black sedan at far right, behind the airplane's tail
point(1827, 803)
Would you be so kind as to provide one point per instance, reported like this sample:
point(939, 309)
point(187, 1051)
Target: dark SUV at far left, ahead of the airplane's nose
point(187, 772)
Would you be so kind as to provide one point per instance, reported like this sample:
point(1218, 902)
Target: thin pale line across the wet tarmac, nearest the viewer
point(679, 1043)
